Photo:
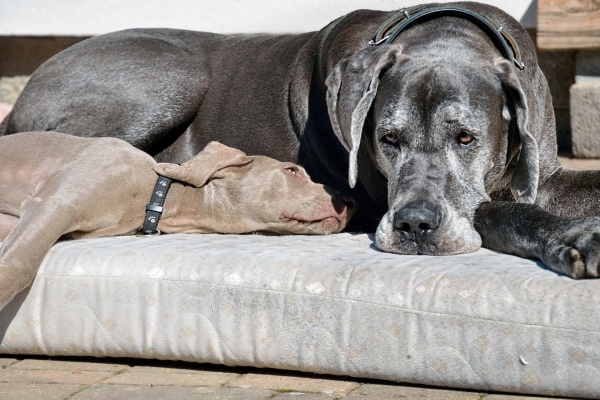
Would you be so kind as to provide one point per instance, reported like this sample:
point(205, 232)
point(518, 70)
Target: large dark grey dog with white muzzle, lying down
point(437, 119)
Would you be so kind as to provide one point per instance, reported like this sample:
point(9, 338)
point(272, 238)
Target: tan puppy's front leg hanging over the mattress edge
point(41, 224)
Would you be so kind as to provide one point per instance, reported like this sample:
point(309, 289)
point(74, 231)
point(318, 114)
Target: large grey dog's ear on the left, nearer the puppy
point(351, 88)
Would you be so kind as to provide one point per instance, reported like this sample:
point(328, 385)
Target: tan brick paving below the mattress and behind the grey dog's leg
point(28, 378)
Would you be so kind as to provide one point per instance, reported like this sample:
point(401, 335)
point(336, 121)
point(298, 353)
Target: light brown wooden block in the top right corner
point(568, 24)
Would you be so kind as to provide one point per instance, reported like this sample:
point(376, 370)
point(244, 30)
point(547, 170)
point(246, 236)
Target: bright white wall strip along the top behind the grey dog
point(87, 18)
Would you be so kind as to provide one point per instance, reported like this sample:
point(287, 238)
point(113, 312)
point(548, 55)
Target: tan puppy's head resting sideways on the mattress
point(257, 193)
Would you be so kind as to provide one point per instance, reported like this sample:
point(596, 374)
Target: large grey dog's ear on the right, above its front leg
point(525, 179)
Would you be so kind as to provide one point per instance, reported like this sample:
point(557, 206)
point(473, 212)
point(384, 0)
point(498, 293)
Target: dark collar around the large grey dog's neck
point(407, 17)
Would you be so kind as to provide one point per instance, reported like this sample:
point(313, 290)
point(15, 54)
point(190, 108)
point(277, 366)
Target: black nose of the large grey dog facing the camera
point(420, 218)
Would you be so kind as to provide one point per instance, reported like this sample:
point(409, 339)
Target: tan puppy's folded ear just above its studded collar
point(199, 170)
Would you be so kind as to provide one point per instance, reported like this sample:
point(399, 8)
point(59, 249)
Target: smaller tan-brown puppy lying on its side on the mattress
point(56, 186)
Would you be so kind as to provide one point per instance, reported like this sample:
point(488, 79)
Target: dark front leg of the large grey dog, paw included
point(567, 246)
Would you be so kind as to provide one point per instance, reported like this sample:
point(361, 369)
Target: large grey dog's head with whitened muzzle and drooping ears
point(442, 134)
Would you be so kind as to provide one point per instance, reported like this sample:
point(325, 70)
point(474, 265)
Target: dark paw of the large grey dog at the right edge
point(575, 249)
